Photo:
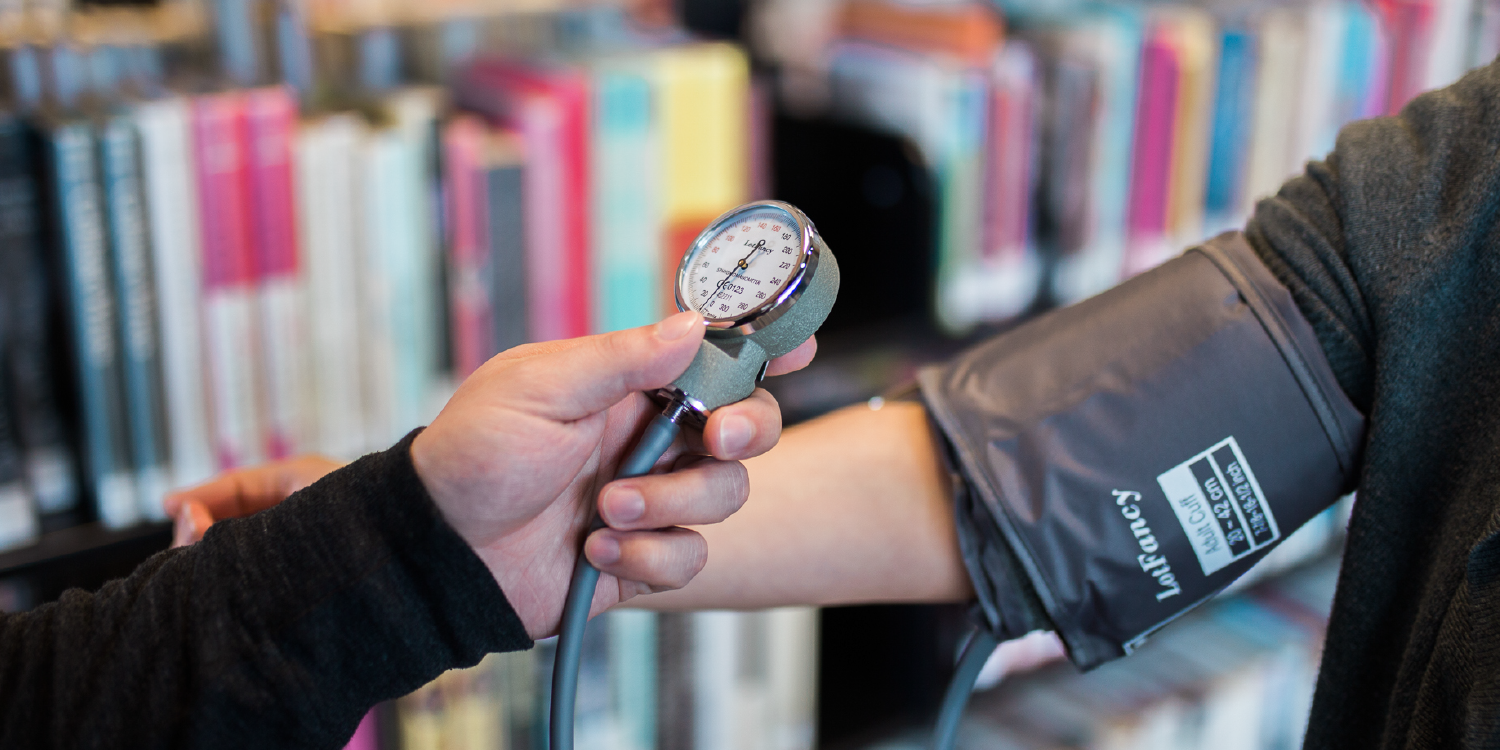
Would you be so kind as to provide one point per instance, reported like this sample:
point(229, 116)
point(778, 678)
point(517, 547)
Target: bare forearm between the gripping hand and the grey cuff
point(851, 508)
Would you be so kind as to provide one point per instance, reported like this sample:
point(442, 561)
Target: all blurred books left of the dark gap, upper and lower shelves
point(205, 277)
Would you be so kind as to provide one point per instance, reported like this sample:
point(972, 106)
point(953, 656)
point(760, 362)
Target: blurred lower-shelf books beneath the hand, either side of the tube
point(700, 682)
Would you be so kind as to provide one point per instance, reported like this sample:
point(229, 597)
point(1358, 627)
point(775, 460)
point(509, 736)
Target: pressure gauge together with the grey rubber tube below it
point(755, 313)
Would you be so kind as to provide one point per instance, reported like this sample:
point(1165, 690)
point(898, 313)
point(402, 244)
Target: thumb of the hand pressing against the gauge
point(599, 371)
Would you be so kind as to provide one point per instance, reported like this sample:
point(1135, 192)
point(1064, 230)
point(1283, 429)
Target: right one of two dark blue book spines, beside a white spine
point(137, 313)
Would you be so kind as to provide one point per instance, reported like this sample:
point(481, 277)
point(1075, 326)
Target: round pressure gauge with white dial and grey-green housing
point(764, 281)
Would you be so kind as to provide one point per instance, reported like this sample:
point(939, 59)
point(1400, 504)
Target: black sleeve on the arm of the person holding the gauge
point(277, 631)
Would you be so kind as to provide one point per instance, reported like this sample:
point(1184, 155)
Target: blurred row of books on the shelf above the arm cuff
point(1106, 136)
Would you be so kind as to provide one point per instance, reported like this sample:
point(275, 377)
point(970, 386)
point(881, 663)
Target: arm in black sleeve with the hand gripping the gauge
point(284, 628)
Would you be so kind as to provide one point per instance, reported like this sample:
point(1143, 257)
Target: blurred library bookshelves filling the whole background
point(244, 230)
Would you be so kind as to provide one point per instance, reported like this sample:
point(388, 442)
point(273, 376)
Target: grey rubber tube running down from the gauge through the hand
point(655, 443)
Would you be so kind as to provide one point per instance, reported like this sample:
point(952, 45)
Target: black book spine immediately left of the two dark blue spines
point(31, 316)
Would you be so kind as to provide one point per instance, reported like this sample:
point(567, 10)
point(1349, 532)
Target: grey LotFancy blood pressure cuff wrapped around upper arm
point(1124, 460)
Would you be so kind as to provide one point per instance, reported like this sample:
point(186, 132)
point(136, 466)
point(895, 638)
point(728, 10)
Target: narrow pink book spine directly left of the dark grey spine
point(466, 214)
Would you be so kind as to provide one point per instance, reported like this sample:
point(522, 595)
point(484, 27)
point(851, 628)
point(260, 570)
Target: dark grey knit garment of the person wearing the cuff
point(1391, 248)
